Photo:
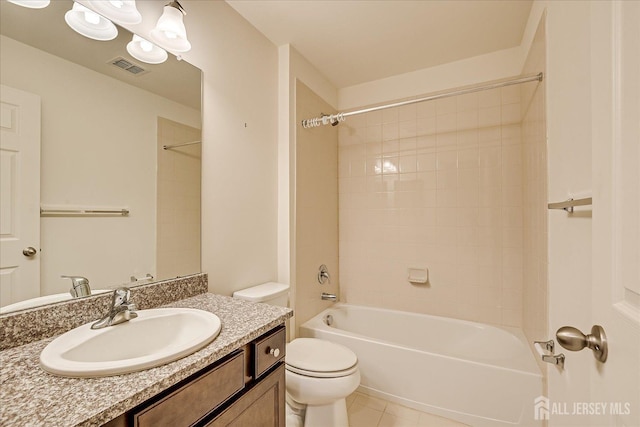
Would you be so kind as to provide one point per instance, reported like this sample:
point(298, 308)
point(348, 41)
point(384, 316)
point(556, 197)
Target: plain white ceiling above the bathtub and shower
point(355, 41)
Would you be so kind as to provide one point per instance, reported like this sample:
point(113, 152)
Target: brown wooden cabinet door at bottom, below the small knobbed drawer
point(262, 406)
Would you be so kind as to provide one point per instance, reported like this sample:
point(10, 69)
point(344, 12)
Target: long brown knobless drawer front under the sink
point(197, 398)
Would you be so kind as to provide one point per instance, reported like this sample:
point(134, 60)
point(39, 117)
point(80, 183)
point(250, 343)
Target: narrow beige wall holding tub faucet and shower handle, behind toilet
point(316, 207)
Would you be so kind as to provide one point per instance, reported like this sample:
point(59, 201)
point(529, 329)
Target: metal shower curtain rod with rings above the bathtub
point(334, 119)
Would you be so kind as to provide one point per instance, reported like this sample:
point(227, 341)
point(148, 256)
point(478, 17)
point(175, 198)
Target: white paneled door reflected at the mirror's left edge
point(19, 195)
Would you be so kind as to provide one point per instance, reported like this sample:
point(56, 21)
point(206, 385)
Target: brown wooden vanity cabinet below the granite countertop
point(245, 388)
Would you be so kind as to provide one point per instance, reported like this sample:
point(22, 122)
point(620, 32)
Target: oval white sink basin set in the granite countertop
point(155, 337)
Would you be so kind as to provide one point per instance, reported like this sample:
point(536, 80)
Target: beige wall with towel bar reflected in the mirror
point(93, 155)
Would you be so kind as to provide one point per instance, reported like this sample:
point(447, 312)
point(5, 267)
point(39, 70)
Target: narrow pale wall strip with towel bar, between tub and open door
point(568, 104)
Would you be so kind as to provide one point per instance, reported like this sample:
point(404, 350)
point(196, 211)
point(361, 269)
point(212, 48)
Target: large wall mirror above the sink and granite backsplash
point(111, 139)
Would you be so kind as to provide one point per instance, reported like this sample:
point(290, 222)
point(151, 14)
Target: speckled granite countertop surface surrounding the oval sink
point(30, 396)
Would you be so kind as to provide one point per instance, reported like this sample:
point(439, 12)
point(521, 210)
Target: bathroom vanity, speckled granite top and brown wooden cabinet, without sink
point(238, 378)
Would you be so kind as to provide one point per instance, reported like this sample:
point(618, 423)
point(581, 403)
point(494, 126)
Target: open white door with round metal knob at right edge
point(616, 220)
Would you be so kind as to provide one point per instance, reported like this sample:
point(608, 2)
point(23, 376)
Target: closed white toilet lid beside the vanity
point(316, 355)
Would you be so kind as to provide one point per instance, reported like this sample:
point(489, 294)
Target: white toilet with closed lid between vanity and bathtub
point(319, 374)
